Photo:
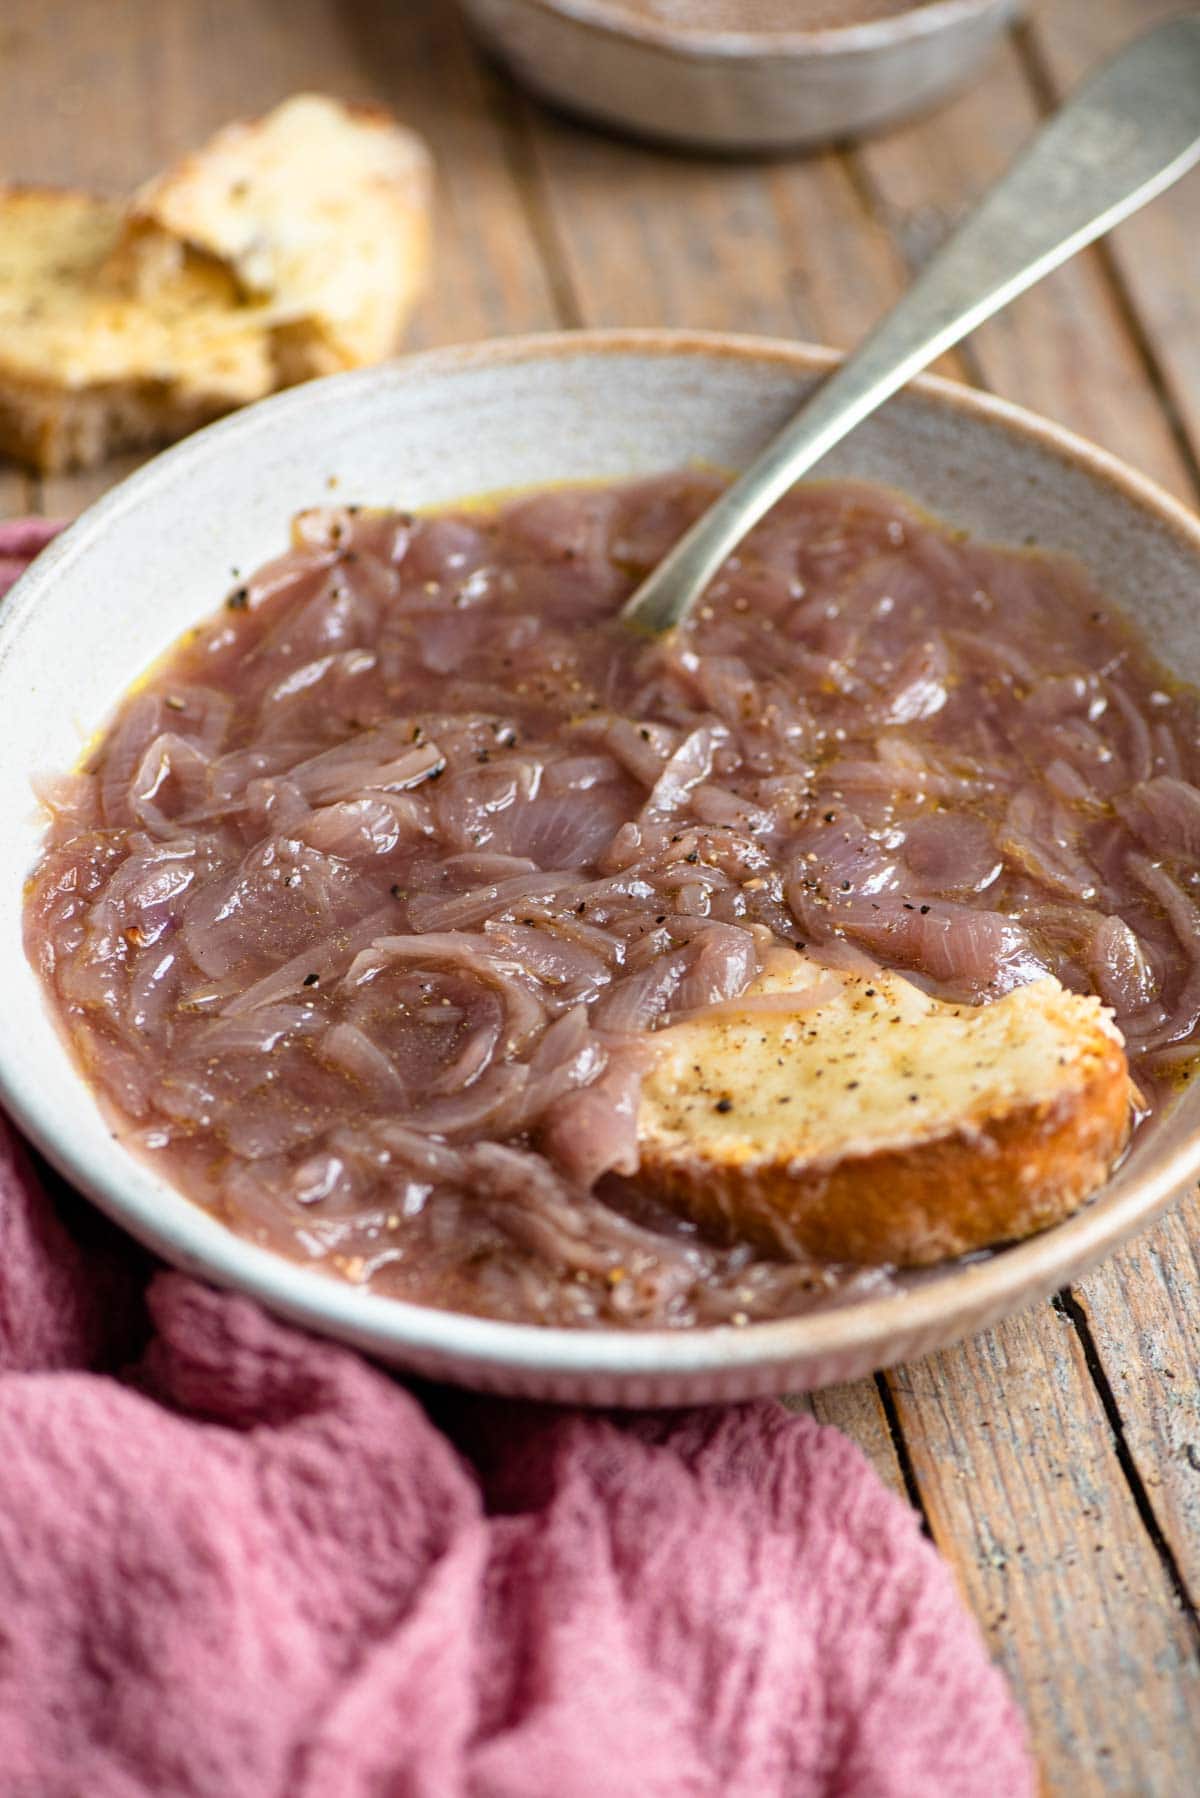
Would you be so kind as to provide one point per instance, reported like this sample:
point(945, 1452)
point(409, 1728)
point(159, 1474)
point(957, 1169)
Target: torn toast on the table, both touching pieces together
point(285, 249)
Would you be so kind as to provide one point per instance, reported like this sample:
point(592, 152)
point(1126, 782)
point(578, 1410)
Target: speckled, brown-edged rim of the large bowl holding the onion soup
point(526, 1357)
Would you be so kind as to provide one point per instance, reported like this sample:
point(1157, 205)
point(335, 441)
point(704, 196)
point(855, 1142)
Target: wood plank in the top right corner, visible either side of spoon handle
point(1156, 254)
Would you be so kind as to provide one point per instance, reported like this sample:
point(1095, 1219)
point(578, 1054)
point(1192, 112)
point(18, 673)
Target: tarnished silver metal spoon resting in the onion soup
point(1120, 141)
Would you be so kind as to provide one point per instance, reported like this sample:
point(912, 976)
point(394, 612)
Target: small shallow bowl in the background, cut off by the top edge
point(737, 91)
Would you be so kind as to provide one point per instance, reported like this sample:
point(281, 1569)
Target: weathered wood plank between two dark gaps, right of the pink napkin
point(1023, 1490)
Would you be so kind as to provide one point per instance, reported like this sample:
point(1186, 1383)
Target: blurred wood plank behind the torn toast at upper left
point(123, 89)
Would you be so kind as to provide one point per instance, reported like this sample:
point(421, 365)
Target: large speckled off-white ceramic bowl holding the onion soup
point(156, 556)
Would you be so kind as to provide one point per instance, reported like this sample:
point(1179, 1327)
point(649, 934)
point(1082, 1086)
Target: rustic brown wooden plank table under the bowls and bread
point(1057, 1461)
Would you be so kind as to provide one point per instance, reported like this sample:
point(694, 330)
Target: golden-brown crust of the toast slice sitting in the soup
point(987, 1179)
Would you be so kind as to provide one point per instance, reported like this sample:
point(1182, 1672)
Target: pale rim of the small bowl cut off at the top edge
point(823, 40)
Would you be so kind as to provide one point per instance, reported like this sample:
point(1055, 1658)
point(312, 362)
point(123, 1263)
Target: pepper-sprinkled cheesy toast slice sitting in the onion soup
point(881, 1125)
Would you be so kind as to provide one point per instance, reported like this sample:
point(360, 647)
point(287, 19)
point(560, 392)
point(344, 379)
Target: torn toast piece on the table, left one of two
point(87, 369)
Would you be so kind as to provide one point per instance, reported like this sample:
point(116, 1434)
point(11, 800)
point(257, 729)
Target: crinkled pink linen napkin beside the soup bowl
point(244, 1563)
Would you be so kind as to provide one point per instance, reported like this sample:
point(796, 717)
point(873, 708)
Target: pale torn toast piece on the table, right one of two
point(319, 211)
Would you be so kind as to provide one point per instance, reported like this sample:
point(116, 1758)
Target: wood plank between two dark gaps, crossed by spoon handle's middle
point(1064, 348)
